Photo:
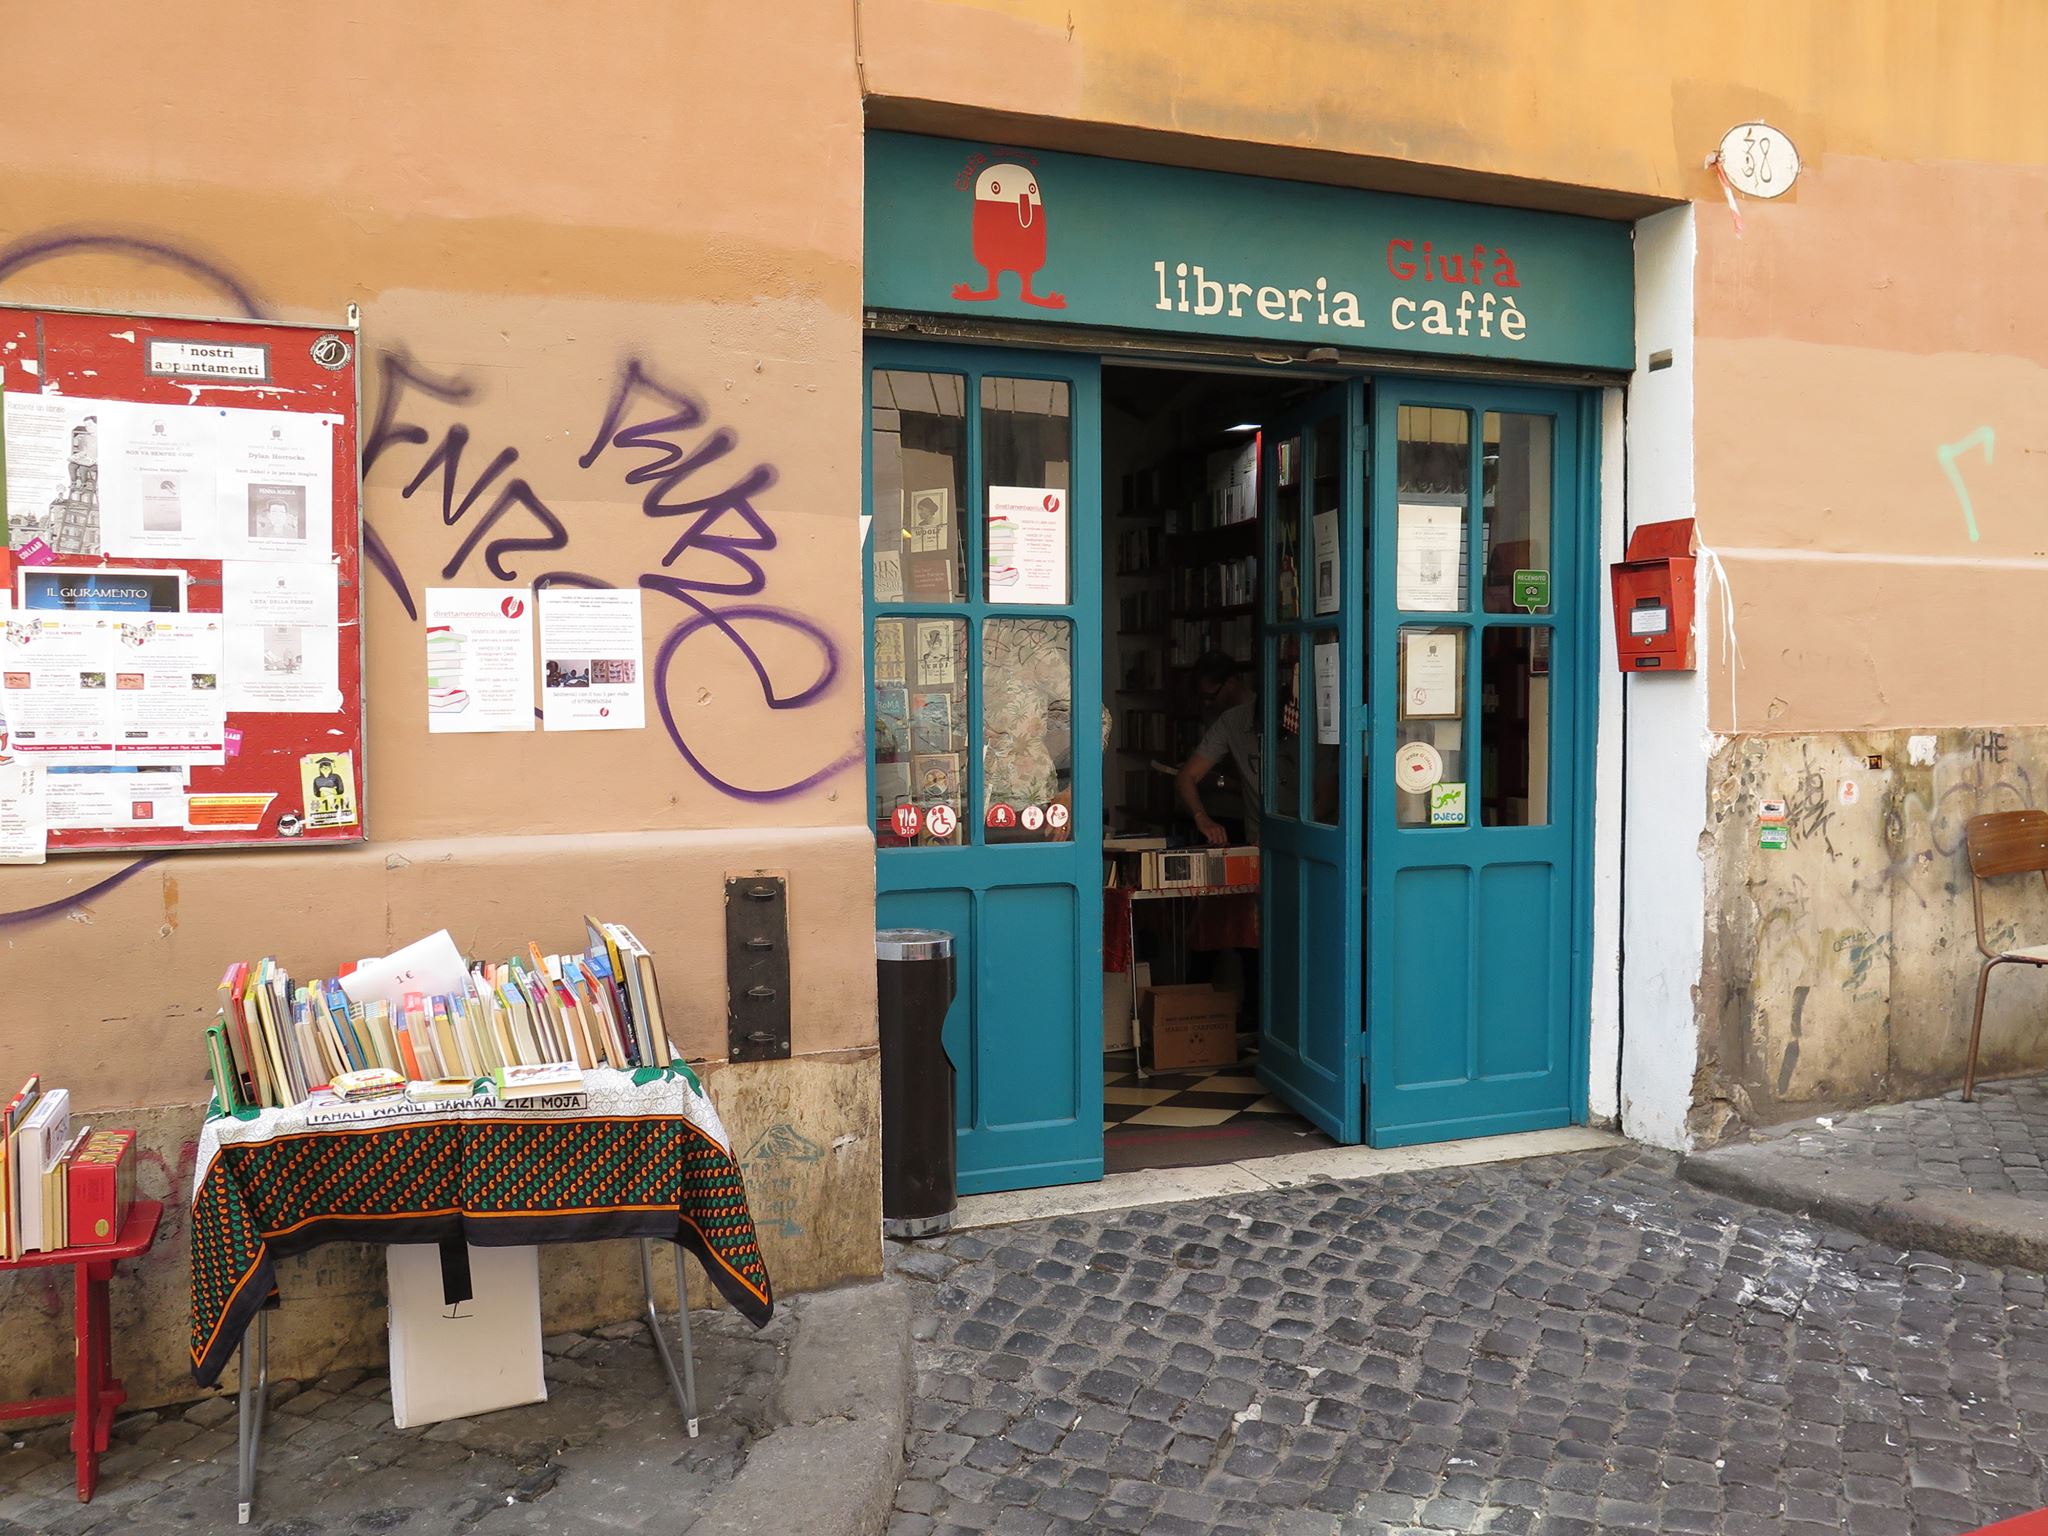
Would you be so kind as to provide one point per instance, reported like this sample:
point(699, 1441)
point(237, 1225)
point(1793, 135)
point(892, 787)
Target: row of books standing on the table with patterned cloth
point(529, 1023)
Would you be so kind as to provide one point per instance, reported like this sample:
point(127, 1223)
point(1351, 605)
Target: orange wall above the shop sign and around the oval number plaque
point(1859, 327)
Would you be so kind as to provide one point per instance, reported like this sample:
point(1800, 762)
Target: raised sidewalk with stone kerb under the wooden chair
point(1967, 1181)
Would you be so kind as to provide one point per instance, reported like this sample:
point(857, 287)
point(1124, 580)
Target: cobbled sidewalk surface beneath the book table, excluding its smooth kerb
point(605, 1453)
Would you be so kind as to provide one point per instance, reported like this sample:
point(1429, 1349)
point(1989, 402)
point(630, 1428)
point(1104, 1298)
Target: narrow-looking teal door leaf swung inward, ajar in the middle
point(1312, 685)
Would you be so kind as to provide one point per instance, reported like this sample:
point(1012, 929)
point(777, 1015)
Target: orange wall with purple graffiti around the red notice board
point(523, 200)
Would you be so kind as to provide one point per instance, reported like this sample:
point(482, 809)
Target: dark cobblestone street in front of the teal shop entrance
point(1576, 1345)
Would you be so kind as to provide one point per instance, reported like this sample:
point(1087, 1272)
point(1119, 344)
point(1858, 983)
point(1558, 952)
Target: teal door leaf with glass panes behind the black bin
point(984, 593)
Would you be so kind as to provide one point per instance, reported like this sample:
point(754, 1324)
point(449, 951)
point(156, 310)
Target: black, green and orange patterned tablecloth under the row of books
point(630, 1160)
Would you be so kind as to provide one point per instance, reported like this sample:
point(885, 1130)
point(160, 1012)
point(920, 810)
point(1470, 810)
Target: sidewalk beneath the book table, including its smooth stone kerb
point(820, 1394)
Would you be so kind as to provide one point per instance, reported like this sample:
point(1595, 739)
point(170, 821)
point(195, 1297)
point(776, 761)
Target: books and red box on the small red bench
point(60, 1187)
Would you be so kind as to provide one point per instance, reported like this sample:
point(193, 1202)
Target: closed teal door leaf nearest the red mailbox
point(1480, 779)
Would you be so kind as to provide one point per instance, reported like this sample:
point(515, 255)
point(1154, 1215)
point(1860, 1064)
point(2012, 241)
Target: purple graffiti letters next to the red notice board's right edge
point(398, 378)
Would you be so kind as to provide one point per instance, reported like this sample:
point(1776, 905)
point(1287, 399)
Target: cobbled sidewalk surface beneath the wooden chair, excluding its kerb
point(1932, 1146)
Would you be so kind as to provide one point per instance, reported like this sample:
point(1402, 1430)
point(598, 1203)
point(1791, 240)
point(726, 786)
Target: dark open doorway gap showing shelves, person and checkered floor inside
point(1183, 634)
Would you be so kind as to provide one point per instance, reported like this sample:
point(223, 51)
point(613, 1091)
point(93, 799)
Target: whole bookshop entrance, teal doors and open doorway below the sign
point(1238, 738)
